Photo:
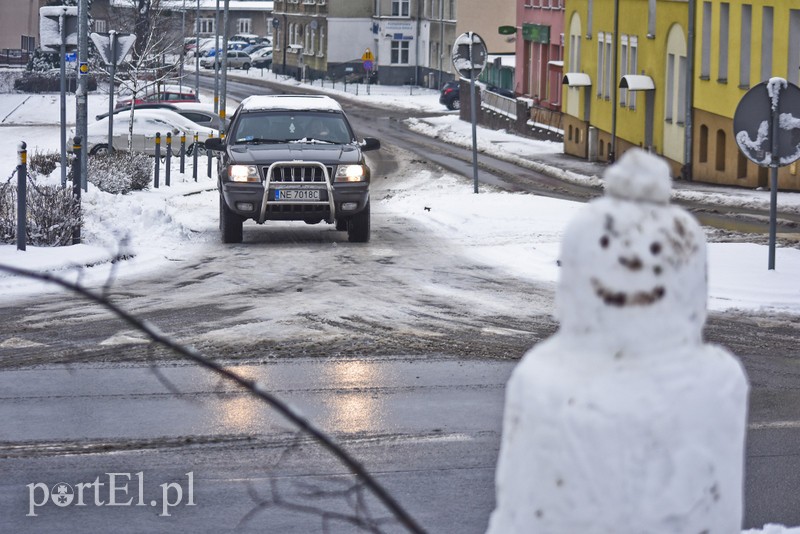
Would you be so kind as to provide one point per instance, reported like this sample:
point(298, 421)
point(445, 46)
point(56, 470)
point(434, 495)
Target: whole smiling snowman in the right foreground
point(624, 421)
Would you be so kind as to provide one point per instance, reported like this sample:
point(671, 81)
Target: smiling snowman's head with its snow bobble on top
point(633, 268)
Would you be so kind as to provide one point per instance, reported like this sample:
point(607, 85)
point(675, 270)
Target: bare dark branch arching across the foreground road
point(256, 389)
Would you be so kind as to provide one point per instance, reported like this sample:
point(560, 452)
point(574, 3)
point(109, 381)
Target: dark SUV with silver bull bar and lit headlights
point(293, 158)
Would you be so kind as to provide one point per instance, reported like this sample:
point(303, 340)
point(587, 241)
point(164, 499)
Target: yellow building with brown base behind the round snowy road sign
point(738, 45)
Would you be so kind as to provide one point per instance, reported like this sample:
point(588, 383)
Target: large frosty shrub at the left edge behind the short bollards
point(52, 214)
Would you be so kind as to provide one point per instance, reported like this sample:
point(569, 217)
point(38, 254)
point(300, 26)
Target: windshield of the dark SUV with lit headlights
point(288, 126)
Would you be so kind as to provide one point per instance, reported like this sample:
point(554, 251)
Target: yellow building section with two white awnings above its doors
point(625, 88)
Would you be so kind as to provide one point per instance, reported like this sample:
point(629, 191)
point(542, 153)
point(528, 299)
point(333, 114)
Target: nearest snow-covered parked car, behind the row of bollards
point(146, 123)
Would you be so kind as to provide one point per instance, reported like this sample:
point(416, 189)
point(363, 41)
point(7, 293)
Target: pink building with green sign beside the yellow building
point(539, 51)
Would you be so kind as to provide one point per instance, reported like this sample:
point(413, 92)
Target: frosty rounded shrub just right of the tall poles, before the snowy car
point(120, 172)
